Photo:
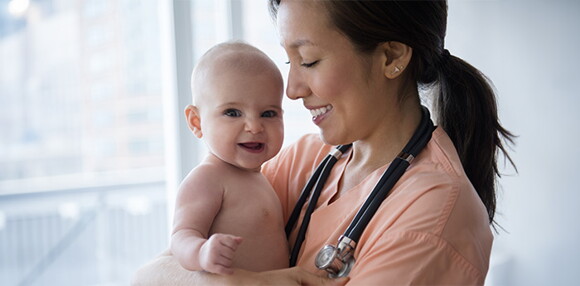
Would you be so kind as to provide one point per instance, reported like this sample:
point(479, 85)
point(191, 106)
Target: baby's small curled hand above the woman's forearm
point(217, 253)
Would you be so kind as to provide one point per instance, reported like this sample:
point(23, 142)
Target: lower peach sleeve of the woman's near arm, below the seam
point(414, 258)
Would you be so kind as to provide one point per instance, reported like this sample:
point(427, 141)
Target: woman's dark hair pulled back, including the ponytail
point(465, 106)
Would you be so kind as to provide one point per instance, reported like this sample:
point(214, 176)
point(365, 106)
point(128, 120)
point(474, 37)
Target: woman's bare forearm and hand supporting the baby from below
point(165, 270)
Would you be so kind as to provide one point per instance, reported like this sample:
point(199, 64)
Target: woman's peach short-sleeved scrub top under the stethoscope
point(432, 228)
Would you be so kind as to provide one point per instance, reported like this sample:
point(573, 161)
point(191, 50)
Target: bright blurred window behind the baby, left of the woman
point(92, 136)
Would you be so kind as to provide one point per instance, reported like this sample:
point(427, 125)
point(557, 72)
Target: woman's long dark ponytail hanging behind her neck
point(466, 109)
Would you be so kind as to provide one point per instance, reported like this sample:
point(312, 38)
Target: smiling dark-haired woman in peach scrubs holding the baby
point(358, 67)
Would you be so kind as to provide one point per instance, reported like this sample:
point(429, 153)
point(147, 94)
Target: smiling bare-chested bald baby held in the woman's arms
point(227, 214)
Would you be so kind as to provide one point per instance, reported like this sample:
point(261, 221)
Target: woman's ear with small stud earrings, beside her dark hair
point(397, 58)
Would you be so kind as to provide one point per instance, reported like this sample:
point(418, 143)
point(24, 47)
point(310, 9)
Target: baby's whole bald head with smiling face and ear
point(237, 93)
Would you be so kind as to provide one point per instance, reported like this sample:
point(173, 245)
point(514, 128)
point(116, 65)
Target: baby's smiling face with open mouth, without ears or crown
point(241, 118)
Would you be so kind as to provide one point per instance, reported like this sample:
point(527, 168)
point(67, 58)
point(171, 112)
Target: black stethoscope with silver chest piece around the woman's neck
point(339, 260)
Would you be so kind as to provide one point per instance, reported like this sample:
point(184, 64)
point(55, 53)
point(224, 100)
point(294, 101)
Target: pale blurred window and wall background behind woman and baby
point(93, 143)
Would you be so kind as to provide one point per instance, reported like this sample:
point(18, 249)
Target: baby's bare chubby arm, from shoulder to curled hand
point(198, 201)
